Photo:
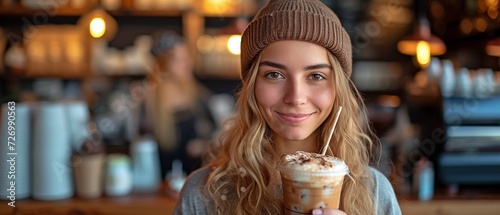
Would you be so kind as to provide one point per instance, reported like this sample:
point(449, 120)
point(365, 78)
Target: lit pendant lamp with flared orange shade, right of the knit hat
point(421, 43)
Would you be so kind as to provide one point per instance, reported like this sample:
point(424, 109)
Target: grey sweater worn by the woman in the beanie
point(191, 202)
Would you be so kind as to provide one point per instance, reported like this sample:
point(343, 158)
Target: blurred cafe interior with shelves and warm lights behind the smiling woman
point(80, 75)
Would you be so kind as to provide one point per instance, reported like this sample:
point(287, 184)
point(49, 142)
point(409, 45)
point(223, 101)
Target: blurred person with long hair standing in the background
point(176, 106)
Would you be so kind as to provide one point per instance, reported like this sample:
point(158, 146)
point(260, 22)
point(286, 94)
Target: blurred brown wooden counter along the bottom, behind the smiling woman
point(464, 203)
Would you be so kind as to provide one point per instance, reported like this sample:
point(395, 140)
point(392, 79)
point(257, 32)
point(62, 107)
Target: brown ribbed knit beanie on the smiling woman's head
point(305, 20)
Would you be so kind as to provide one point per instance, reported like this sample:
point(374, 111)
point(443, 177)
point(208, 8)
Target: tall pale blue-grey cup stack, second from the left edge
point(52, 176)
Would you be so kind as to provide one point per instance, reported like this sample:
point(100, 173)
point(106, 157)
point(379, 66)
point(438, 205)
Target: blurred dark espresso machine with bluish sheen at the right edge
point(471, 153)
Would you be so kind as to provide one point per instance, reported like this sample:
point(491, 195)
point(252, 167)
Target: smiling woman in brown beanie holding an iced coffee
point(296, 64)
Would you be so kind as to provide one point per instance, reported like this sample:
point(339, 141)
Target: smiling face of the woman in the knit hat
point(294, 89)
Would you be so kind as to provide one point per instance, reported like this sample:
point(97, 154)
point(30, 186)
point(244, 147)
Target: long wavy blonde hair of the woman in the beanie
point(243, 177)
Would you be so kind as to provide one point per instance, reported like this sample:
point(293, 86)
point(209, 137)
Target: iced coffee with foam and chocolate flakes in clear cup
point(311, 181)
